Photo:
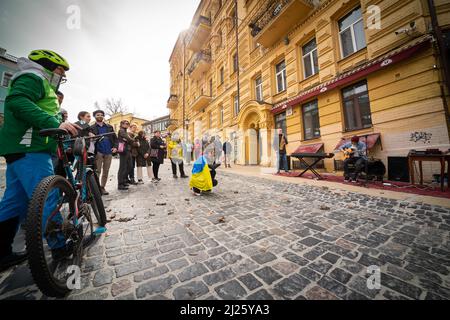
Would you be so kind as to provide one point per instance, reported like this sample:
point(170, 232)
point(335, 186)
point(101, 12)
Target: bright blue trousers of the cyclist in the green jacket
point(22, 177)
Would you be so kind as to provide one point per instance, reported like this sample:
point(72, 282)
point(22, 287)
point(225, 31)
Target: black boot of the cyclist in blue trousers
point(8, 258)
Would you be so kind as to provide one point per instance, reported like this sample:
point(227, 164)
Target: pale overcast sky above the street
point(121, 50)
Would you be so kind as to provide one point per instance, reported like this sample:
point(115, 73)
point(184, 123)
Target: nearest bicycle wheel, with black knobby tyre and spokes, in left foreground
point(52, 236)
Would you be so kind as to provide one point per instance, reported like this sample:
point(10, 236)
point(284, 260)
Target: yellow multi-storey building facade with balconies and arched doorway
point(322, 71)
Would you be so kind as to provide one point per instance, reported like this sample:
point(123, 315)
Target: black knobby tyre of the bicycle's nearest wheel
point(34, 237)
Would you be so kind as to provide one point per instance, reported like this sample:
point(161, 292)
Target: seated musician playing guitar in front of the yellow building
point(356, 155)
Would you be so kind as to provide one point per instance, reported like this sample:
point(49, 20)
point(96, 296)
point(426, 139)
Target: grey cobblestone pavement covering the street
point(258, 239)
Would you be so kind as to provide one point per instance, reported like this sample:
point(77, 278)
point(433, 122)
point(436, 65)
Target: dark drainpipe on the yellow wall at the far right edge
point(442, 54)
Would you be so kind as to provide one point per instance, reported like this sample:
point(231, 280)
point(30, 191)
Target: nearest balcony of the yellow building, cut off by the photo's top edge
point(276, 18)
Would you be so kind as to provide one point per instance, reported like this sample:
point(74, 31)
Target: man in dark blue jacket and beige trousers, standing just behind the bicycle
point(104, 149)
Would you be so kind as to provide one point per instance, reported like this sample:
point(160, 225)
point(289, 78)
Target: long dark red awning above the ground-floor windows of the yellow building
point(357, 73)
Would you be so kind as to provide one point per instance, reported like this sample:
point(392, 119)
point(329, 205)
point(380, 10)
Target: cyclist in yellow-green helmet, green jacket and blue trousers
point(31, 105)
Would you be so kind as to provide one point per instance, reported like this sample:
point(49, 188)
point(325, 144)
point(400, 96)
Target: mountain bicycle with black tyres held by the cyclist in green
point(59, 222)
